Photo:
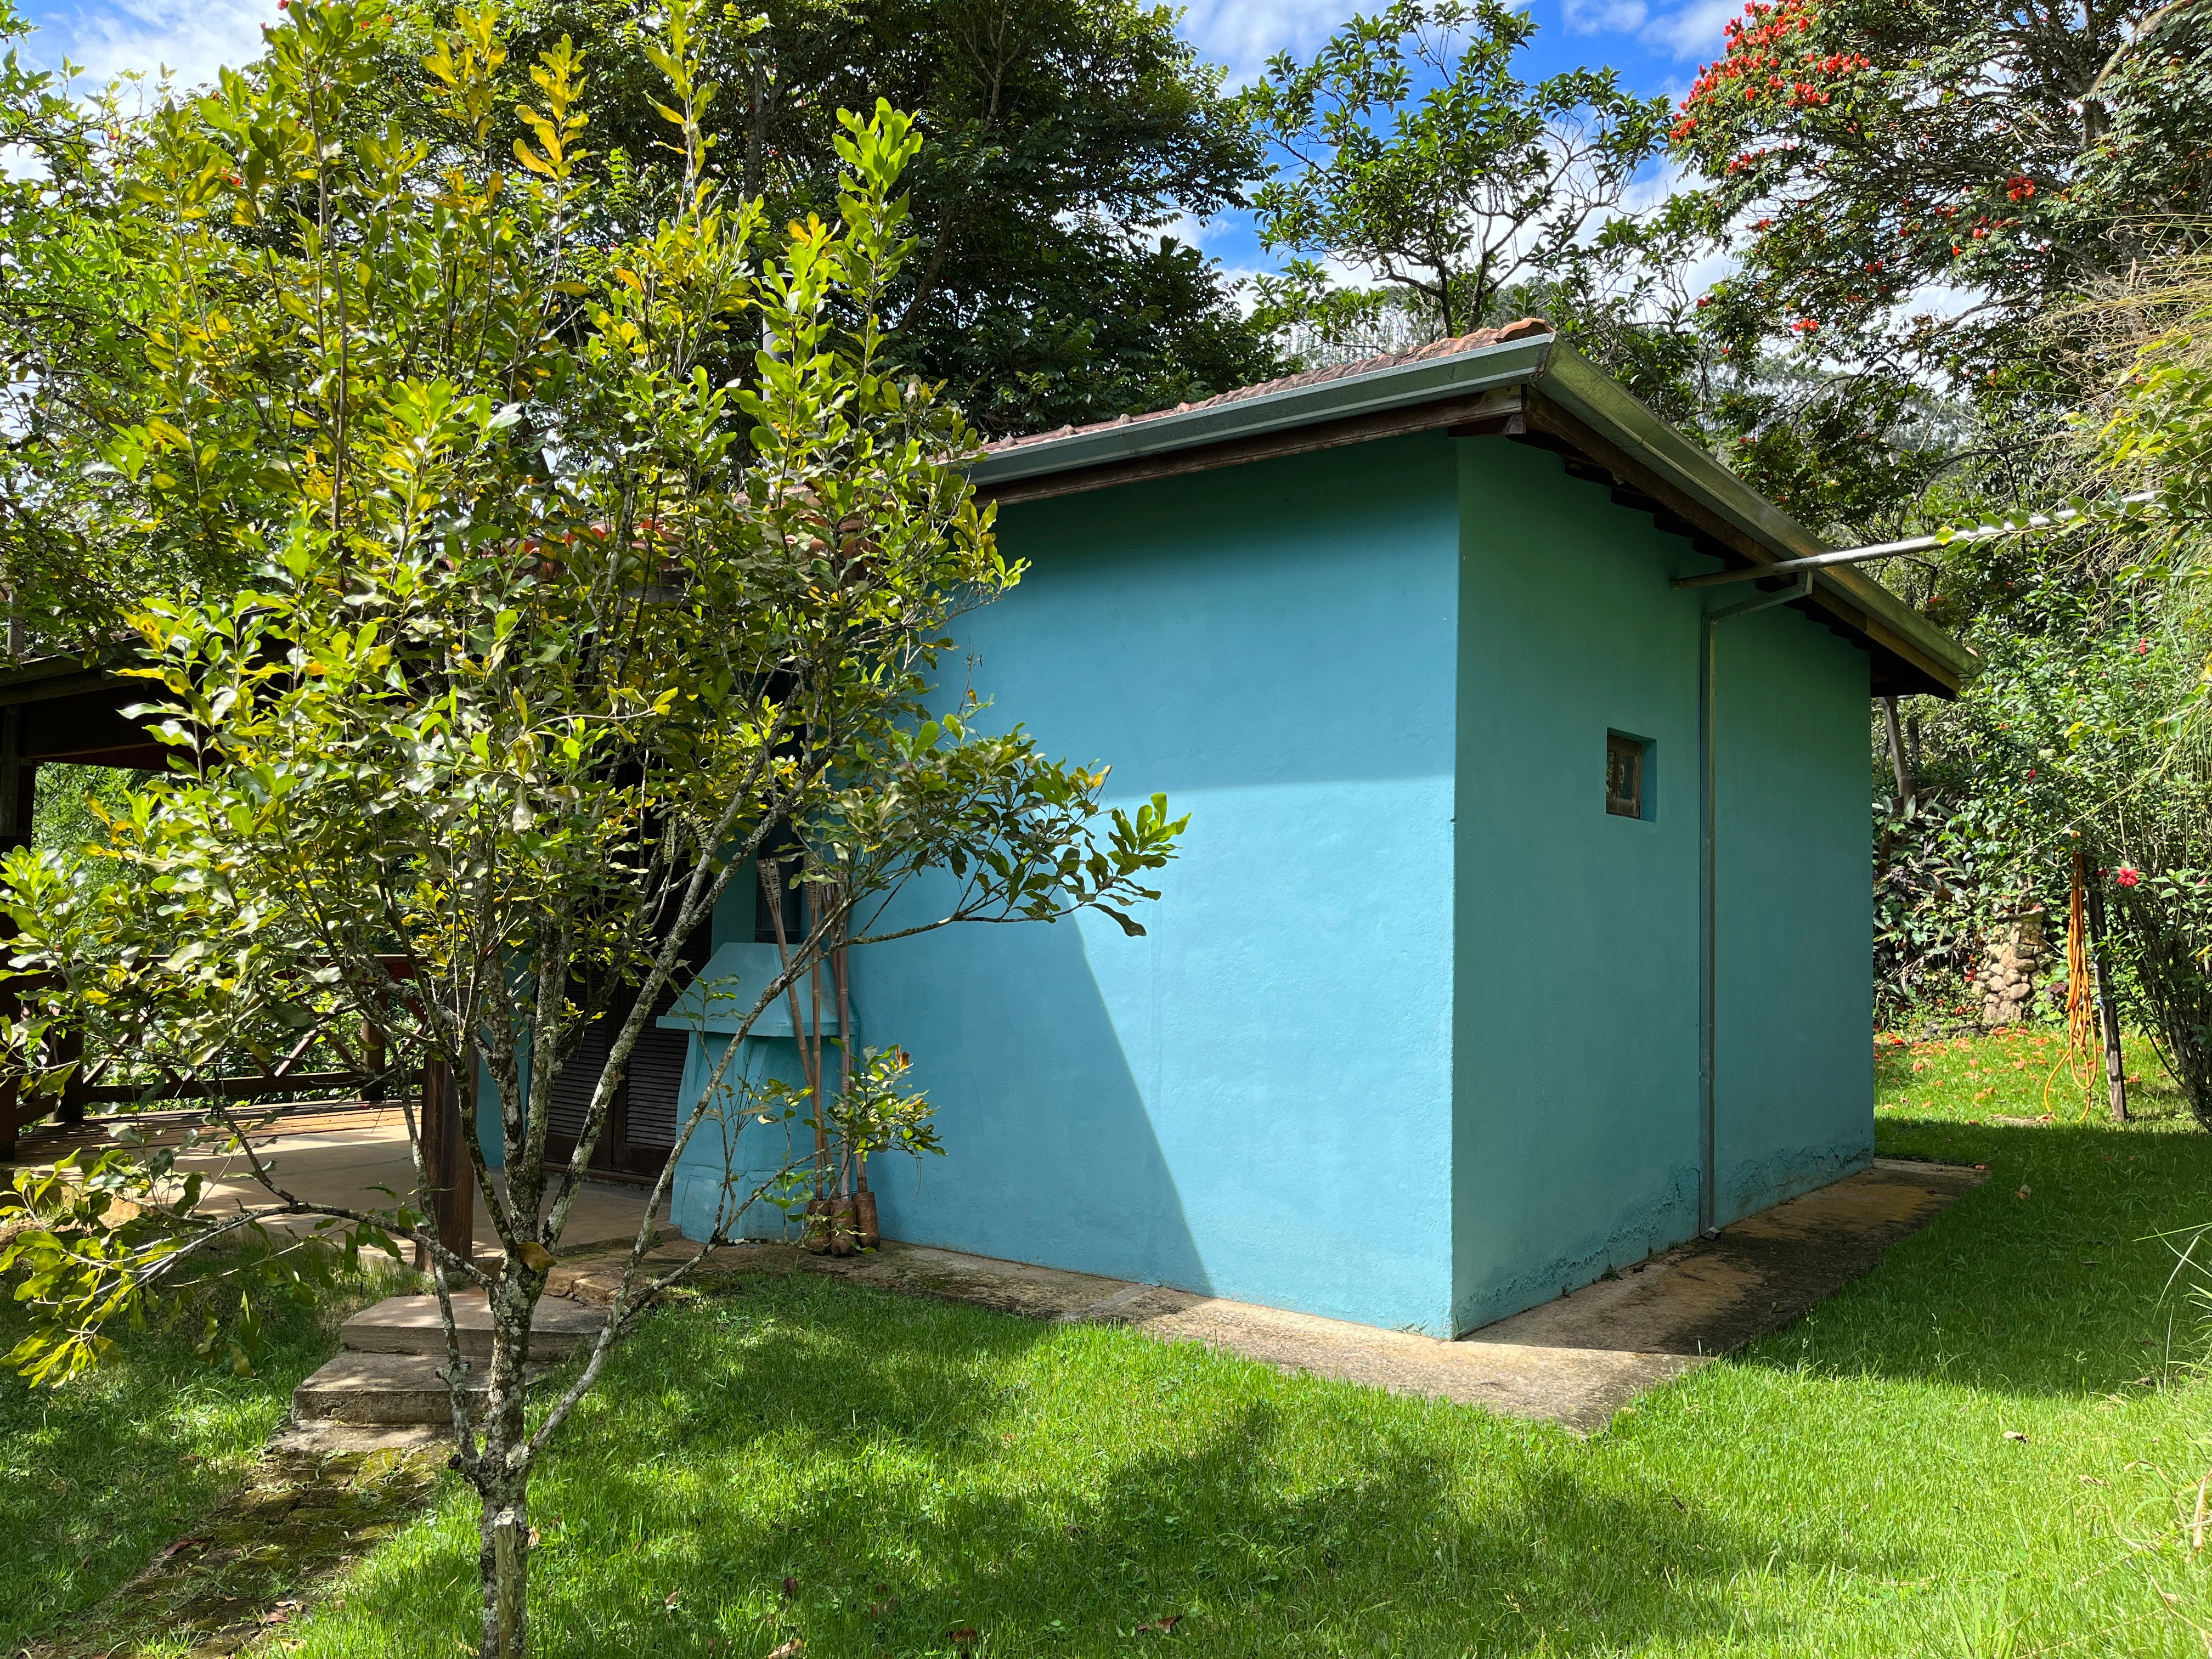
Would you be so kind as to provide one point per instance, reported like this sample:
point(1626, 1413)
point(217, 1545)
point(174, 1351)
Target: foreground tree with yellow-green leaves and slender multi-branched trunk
point(552, 638)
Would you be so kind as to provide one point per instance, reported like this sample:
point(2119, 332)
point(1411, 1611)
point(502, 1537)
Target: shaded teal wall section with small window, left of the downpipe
point(1576, 1021)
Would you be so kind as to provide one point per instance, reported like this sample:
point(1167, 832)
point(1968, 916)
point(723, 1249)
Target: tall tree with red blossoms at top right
point(1910, 191)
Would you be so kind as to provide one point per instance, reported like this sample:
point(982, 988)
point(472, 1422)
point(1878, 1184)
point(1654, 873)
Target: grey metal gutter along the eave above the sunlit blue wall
point(1355, 395)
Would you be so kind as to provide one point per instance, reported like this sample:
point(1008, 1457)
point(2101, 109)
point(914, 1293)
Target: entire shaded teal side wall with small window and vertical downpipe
point(1578, 999)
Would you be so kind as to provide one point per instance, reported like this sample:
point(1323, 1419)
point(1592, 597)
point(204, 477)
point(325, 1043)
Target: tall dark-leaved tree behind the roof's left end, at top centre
point(1063, 145)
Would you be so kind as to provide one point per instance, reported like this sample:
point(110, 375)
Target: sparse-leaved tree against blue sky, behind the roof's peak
point(1452, 194)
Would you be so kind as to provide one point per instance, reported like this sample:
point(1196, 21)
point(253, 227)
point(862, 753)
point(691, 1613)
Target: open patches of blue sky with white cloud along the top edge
point(1658, 45)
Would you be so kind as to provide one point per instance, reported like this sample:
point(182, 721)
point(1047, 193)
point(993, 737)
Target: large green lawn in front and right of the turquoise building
point(1846, 1488)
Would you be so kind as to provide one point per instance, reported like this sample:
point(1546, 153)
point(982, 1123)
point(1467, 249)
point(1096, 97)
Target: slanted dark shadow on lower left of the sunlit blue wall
point(1050, 1158)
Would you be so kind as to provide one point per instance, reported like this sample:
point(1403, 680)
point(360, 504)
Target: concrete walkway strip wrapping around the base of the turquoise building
point(1574, 1361)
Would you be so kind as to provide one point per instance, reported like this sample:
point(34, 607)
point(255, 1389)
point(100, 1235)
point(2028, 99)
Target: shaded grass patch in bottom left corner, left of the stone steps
point(101, 1474)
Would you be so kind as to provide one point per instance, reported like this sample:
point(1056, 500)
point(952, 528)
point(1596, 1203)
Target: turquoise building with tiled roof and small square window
point(1523, 921)
